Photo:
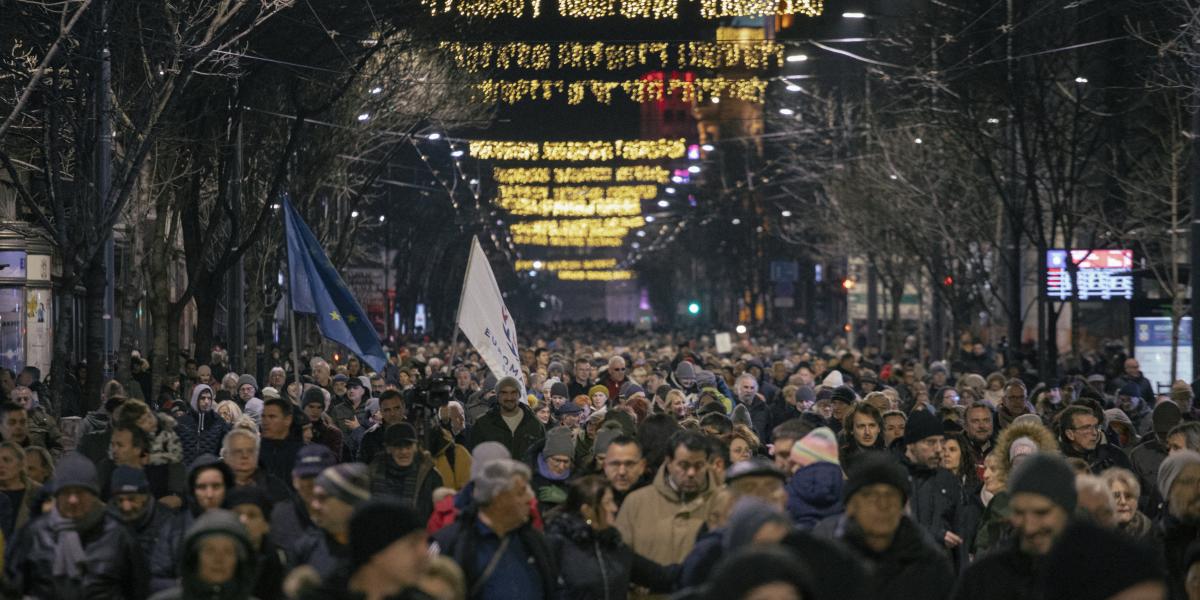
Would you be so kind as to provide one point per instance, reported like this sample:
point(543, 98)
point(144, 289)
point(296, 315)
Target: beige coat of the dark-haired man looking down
point(658, 525)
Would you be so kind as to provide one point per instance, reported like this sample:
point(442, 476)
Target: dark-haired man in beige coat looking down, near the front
point(661, 521)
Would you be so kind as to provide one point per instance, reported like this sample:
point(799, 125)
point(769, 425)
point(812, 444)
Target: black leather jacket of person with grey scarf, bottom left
point(115, 567)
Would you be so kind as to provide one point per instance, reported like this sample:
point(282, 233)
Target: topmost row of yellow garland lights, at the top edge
point(629, 9)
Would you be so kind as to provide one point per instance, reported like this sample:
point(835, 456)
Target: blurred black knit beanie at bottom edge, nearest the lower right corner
point(1082, 548)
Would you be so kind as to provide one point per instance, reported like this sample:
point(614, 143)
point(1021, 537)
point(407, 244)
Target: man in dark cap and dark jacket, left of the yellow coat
point(404, 472)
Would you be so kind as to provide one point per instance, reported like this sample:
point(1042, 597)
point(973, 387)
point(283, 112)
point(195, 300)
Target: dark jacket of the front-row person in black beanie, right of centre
point(914, 567)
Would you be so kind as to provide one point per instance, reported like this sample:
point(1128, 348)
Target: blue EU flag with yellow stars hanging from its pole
point(317, 290)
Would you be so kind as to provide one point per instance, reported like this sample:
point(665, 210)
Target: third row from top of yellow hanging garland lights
point(751, 89)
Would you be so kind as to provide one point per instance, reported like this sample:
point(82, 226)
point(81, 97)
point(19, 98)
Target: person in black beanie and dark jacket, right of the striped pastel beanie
point(903, 562)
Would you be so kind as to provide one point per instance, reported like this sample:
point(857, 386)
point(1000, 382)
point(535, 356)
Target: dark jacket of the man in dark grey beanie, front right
point(1003, 575)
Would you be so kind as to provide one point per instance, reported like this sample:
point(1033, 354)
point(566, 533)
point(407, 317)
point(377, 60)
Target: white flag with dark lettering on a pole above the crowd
point(484, 319)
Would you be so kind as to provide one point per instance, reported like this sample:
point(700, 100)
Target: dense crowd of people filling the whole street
point(619, 466)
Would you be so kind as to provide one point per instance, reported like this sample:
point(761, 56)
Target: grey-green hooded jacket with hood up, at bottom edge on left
point(215, 523)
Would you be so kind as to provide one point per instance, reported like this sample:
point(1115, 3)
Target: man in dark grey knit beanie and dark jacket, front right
point(1043, 501)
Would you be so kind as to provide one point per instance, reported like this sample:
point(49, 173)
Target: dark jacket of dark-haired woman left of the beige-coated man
point(597, 566)
